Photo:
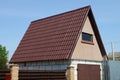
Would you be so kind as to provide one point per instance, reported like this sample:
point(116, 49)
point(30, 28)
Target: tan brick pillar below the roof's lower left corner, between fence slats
point(14, 71)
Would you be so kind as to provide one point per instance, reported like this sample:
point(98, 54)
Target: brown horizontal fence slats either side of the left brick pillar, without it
point(35, 75)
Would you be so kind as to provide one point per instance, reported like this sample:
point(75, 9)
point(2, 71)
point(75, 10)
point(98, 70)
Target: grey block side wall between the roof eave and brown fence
point(46, 65)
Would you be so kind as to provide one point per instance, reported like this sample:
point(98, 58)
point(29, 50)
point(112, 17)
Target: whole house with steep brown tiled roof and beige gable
point(70, 39)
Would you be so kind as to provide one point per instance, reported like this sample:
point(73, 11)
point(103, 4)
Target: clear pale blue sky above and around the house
point(16, 16)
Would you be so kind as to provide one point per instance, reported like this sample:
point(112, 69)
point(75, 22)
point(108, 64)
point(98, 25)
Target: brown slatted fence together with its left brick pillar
point(15, 74)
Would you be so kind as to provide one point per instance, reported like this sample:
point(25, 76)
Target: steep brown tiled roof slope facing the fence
point(52, 38)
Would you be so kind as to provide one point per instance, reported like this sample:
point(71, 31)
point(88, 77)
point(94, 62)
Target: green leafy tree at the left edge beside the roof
point(3, 57)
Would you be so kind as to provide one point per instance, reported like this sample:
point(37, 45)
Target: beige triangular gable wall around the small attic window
point(87, 51)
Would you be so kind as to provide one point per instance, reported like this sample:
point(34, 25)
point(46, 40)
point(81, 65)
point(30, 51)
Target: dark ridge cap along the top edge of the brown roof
point(61, 13)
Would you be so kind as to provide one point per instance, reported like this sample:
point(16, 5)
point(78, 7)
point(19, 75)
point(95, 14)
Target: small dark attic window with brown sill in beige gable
point(87, 38)
